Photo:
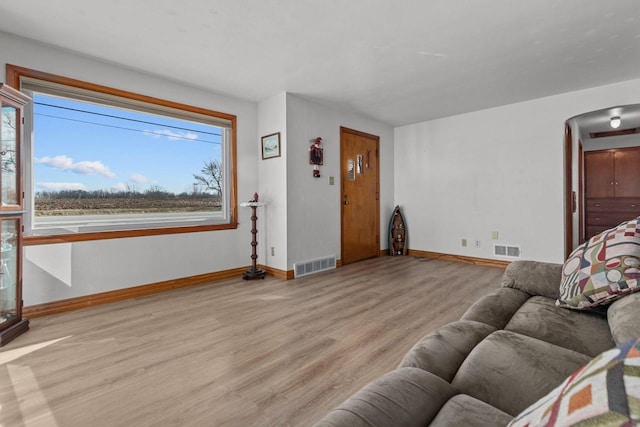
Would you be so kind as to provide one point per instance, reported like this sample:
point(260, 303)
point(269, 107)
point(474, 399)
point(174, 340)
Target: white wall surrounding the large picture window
point(53, 272)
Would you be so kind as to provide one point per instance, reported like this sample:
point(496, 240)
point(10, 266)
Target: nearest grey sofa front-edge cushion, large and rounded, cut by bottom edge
point(403, 397)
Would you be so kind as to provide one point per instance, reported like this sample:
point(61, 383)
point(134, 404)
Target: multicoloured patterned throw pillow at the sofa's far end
point(603, 269)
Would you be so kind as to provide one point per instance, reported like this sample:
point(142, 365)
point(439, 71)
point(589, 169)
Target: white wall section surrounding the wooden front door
point(314, 205)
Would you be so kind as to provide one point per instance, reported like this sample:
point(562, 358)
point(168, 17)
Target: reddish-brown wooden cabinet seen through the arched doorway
point(612, 188)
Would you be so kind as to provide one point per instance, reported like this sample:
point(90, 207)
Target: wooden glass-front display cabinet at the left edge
point(12, 323)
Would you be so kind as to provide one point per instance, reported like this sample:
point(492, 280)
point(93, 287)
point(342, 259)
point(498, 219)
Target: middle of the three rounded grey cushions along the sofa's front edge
point(443, 351)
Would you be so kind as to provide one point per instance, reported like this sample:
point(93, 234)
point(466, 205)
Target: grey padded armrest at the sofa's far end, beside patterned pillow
point(534, 278)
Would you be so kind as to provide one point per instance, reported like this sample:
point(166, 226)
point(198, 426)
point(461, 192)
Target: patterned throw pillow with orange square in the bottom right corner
point(604, 392)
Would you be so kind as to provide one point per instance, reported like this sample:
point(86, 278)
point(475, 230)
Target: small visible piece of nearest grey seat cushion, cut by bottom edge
point(463, 410)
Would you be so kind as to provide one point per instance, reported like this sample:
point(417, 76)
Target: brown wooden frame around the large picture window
point(14, 75)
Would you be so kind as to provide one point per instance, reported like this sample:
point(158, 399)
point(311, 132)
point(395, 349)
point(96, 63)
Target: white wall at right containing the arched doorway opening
point(499, 169)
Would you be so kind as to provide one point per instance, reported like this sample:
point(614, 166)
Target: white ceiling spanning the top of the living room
point(400, 61)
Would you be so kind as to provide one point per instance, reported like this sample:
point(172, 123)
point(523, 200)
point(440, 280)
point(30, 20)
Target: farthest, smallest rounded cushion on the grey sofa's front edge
point(497, 307)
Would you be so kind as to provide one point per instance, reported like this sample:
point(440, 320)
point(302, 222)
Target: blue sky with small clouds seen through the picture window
point(87, 150)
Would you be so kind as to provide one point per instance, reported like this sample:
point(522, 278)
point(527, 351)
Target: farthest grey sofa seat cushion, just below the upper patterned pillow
point(581, 331)
